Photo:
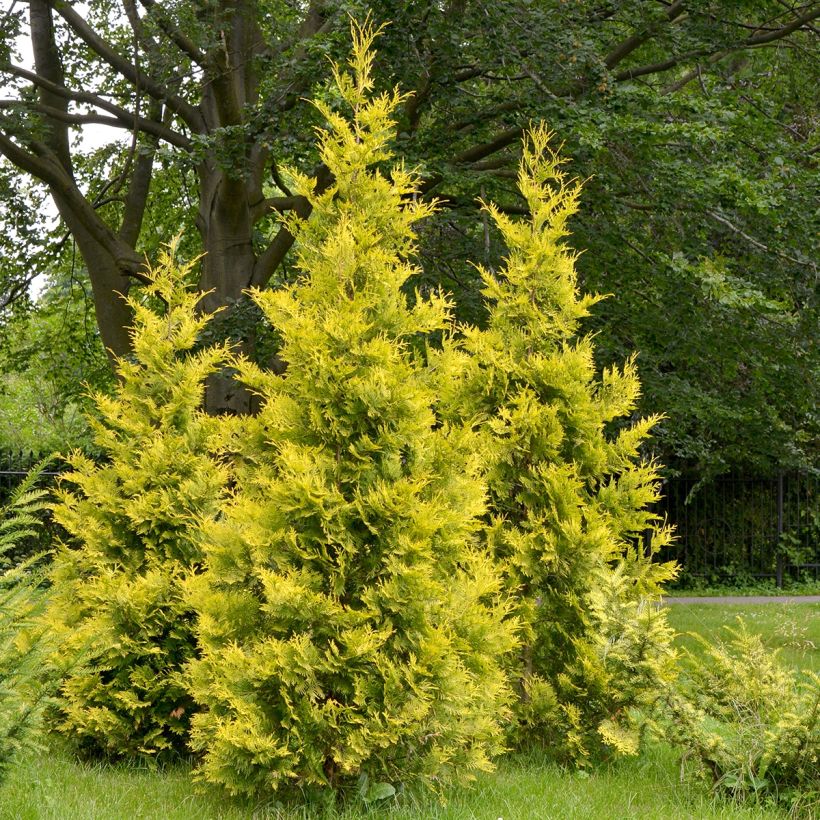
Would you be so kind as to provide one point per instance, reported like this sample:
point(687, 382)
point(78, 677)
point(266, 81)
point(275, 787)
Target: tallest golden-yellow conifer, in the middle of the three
point(350, 632)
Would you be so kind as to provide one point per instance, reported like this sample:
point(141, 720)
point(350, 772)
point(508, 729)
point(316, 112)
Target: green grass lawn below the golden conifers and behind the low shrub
point(55, 786)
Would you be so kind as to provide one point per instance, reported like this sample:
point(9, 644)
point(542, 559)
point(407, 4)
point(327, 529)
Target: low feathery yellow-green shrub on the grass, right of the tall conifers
point(750, 725)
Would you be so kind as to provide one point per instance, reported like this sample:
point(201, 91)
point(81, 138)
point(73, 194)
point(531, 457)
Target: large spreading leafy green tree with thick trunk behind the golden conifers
point(694, 119)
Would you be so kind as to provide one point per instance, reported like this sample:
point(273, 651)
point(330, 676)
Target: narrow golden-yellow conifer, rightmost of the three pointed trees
point(568, 489)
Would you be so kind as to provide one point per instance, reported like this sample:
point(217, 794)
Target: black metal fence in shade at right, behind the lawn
point(737, 526)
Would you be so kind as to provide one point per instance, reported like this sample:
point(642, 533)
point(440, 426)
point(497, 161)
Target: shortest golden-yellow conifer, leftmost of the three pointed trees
point(132, 521)
